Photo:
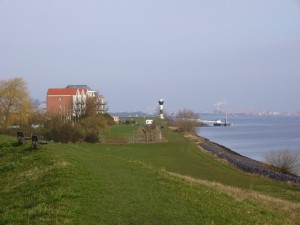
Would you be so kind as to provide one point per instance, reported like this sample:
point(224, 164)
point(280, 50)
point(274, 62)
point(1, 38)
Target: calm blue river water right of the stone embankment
point(254, 136)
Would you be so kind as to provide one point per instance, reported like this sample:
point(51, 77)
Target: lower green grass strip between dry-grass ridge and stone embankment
point(181, 155)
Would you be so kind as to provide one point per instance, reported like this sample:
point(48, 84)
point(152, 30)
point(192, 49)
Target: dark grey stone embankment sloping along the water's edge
point(245, 163)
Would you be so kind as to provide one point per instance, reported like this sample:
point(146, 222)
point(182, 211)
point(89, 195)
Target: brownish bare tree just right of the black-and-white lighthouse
point(187, 120)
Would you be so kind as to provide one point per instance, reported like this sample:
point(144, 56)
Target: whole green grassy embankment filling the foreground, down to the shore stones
point(173, 182)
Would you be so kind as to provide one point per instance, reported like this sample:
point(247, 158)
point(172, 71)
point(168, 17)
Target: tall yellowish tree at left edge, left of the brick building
point(15, 104)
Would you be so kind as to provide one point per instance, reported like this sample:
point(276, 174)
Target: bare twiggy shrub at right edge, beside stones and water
point(286, 161)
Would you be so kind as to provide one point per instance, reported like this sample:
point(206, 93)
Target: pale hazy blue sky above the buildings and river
point(195, 54)
